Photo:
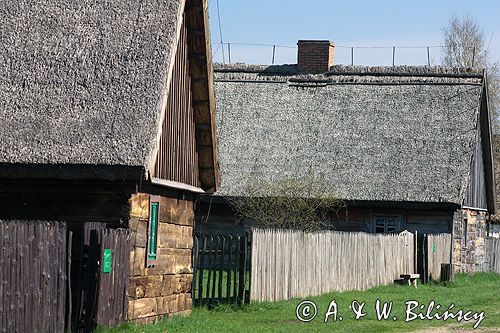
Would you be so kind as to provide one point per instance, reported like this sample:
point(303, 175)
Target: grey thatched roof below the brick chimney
point(370, 133)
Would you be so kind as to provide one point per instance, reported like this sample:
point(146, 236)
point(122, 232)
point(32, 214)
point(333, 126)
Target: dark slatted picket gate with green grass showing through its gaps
point(222, 265)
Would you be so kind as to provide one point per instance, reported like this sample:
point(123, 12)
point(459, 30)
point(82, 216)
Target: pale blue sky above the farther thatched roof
point(347, 23)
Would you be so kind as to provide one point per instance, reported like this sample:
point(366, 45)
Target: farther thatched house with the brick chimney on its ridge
point(407, 148)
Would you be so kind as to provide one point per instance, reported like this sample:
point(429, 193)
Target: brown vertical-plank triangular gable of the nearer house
point(177, 158)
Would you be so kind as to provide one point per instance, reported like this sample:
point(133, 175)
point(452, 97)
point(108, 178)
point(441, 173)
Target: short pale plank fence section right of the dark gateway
point(438, 252)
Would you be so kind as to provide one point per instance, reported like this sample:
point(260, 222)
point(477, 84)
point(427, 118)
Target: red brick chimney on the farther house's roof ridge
point(315, 56)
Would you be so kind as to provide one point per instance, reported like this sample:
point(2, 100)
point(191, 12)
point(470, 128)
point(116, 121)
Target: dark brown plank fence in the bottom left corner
point(33, 276)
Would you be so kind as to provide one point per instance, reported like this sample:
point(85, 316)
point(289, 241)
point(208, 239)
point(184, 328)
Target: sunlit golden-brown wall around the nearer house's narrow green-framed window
point(165, 288)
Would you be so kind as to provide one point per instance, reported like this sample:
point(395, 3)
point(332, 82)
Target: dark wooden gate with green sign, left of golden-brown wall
point(103, 279)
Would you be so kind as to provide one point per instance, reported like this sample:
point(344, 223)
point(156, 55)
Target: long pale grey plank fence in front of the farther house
point(287, 264)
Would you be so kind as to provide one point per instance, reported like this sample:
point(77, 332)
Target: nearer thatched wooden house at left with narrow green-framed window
point(107, 128)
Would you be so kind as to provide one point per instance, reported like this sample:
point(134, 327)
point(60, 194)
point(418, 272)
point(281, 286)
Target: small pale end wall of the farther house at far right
point(469, 232)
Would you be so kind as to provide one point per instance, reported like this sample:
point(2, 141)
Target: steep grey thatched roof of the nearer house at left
point(83, 82)
